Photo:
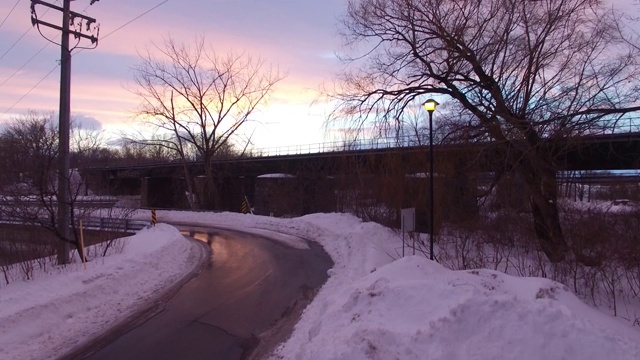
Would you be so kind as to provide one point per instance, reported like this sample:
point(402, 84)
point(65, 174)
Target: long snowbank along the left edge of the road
point(47, 316)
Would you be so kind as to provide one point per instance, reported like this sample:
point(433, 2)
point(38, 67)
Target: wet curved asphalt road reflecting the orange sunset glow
point(251, 283)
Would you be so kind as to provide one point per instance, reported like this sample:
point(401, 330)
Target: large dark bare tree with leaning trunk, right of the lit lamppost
point(526, 75)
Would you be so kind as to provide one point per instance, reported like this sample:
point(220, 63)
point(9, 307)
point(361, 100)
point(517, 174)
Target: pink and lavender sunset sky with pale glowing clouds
point(298, 36)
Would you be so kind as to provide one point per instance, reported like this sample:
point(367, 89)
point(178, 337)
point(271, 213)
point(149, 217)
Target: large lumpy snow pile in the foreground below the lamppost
point(415, 309)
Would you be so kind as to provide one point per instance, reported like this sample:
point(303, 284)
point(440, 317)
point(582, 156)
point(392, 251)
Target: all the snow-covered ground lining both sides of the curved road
point(374, 305)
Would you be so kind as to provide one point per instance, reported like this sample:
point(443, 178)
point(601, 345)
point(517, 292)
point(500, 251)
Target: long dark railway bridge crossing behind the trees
point(307, 179)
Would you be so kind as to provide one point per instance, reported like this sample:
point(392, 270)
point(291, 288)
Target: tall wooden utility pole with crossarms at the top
point(69, 18)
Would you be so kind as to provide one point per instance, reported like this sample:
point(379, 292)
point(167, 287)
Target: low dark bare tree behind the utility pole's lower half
point(29, 182)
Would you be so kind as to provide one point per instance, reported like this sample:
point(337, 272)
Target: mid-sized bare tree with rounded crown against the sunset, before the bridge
point(201, 99)
